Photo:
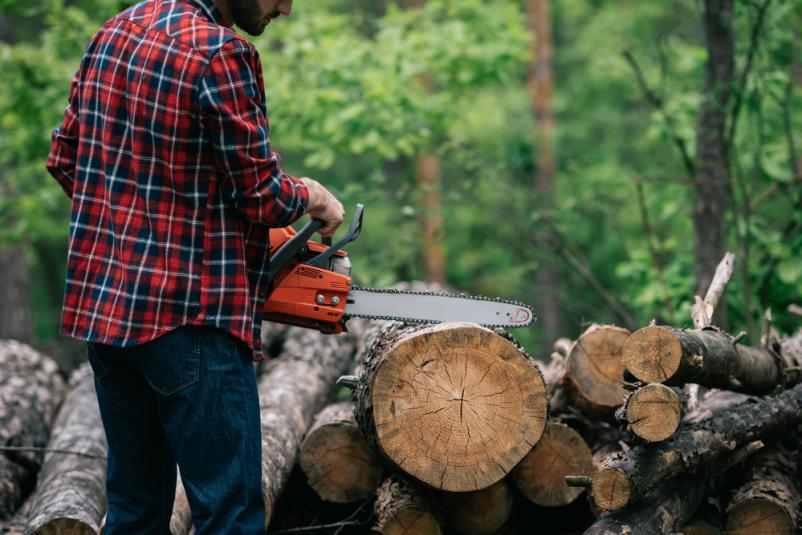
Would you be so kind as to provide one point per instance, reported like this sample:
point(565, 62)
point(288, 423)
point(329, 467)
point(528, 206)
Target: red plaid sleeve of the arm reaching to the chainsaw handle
point(231, 101)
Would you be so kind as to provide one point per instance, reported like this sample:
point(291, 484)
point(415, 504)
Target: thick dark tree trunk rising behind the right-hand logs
point(712, 175)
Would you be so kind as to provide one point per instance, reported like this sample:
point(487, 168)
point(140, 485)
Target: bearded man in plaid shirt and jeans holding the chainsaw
point(165, 152)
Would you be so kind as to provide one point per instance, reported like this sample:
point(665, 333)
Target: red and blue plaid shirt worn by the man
point(165, 152)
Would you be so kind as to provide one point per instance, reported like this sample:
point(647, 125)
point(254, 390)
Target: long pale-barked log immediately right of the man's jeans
point(294, 388)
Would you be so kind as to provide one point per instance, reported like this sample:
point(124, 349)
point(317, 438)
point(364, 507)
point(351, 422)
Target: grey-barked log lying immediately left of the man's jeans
point(70, 495)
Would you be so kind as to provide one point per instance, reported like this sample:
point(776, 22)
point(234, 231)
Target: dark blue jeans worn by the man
point(189, 398)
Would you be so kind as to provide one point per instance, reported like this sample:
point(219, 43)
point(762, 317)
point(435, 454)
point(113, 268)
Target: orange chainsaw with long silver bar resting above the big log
point(311, 287)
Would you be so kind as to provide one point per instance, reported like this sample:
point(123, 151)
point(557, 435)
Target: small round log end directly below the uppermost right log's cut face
point(653, 412)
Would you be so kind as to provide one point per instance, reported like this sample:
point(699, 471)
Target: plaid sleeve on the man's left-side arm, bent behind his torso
point(64, 143)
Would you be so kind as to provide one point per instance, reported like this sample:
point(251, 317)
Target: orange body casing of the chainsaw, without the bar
point(306, 295)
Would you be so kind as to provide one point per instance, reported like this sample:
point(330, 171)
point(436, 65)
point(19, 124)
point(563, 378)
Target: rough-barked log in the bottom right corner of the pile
point(768, 499)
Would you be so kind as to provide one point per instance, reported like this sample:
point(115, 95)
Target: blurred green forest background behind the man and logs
point(593, 158)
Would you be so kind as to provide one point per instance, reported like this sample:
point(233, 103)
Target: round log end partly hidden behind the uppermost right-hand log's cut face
point(595, 367)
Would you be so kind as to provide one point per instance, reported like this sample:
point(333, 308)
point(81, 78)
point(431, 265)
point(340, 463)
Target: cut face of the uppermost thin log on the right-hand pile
point(652, 354)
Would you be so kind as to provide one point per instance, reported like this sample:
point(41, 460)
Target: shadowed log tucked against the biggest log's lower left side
point(337, 461)
